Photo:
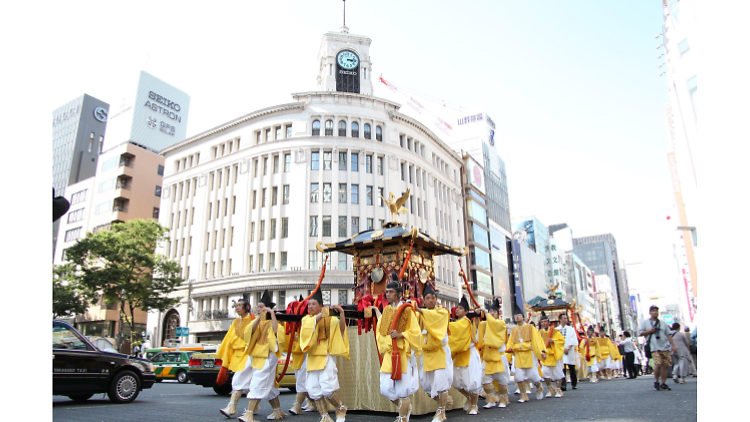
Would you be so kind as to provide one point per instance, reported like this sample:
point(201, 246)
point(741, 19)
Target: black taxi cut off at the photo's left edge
point(80, 370)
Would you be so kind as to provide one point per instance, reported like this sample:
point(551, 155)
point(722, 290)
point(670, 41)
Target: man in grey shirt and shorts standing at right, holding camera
point(659, 346)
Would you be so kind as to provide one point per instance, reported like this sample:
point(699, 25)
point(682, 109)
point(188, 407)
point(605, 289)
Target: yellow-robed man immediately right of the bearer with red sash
point(435, 362)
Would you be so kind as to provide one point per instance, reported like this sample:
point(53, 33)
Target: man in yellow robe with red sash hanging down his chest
point(409, 346)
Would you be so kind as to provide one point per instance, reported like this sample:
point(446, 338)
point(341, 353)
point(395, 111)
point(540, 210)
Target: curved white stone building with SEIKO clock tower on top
point(247, 201)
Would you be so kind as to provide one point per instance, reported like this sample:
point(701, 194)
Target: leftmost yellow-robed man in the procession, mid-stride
point(232, 353)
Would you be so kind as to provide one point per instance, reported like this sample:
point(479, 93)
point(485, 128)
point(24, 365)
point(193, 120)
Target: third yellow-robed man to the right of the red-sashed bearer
point(492, 336)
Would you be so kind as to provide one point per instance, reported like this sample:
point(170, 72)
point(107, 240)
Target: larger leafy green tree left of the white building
point(121, 266)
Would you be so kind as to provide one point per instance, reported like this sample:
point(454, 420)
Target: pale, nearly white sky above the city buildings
point(571, 85)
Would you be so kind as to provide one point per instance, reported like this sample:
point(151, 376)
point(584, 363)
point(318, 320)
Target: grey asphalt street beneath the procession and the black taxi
point(617, 400)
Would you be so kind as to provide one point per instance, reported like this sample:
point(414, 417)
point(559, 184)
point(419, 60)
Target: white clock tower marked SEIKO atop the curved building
point(344, 61)
